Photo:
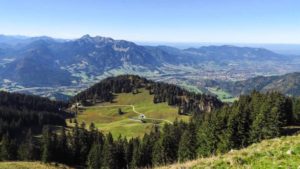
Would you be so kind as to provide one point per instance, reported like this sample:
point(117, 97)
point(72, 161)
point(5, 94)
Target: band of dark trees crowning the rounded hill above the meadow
point(188, 102)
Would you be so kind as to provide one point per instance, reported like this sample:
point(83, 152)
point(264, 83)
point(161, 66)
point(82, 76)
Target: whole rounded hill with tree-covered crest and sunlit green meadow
point(136, 97)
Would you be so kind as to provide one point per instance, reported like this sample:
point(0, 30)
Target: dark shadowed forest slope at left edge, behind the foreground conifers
point(19, 112)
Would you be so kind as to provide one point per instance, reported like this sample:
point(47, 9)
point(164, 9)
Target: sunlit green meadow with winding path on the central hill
point(107, 119)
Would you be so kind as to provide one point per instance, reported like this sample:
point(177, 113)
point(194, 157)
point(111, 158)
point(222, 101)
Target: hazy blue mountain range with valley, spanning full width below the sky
point(27, 62)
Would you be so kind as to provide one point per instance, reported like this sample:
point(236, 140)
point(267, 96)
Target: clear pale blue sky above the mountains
point(222, 21)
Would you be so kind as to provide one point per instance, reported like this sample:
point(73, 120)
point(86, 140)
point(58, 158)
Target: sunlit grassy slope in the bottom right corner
point(276, 153)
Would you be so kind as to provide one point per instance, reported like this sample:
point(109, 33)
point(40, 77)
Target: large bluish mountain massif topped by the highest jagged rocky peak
point(91, 55)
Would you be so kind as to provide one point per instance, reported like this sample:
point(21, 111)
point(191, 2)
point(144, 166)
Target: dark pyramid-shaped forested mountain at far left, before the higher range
point(37, 68)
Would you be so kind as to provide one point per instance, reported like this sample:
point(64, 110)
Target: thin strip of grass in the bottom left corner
point(31, 165)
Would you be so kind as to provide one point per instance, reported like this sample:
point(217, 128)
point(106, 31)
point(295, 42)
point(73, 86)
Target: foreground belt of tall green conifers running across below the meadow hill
point(251, 119)
